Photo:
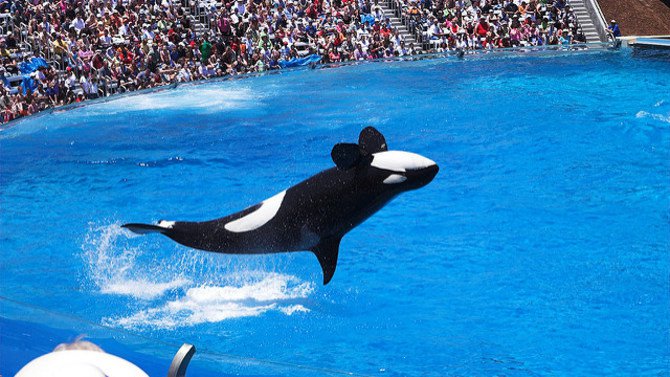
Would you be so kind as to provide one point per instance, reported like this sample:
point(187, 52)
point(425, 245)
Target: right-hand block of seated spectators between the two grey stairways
point(458, 24)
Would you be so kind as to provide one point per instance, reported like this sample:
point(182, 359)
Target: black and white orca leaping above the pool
point(315, 214)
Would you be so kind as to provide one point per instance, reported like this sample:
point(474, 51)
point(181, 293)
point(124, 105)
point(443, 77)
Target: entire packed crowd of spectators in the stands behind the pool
point(68, 51)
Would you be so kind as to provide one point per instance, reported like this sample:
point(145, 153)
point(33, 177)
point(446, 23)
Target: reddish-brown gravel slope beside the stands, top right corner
point(638, 17)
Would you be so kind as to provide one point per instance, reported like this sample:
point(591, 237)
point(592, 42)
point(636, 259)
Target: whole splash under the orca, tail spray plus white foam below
point(118, 268)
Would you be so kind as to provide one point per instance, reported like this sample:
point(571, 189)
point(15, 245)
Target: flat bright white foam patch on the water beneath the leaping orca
point(206, 304)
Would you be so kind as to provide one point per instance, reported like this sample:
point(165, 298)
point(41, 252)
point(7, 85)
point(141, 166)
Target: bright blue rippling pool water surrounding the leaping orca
point(541, 248)
